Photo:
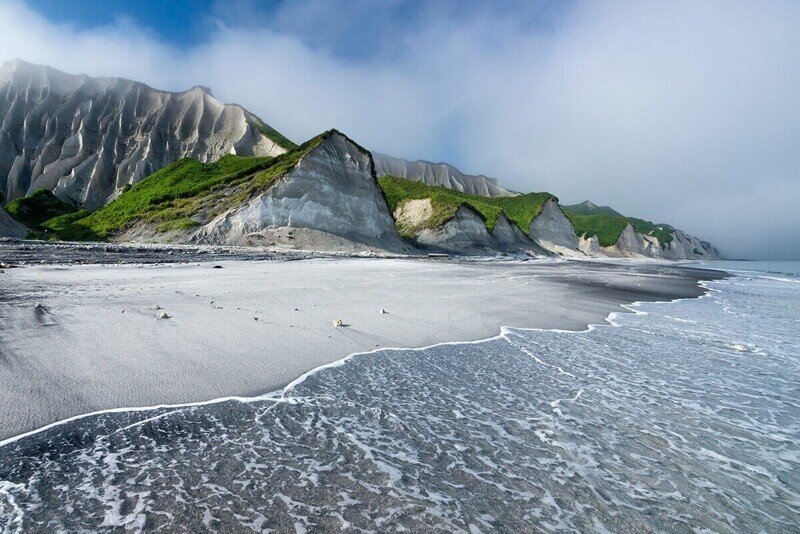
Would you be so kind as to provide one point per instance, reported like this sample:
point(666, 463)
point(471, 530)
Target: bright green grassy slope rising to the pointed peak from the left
point(181, 196)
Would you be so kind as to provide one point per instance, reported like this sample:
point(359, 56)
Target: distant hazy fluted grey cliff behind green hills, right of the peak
point(441, 174)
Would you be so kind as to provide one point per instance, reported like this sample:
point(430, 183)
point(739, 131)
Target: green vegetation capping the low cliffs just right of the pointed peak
point(445, 203)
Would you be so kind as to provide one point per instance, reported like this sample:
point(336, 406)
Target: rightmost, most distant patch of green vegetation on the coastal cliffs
point(608, 224)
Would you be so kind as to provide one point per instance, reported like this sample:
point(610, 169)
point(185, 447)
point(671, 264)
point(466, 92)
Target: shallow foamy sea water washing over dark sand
point(682, 416)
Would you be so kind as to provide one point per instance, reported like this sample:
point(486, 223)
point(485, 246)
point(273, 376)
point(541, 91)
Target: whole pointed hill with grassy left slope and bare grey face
point(322, 195)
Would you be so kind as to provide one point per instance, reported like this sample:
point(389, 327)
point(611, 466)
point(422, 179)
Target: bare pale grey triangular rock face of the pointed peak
point(331, 198)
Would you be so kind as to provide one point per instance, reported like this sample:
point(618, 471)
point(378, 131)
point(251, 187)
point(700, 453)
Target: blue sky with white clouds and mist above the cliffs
point(683, 112)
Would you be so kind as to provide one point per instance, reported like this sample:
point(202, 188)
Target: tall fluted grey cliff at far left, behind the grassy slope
point(86, 138)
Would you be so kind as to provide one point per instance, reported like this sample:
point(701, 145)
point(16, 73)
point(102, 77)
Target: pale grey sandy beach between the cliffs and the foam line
point(210, 351)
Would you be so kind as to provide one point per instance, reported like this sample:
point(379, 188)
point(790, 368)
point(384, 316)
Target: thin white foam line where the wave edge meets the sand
point(279, 395)
